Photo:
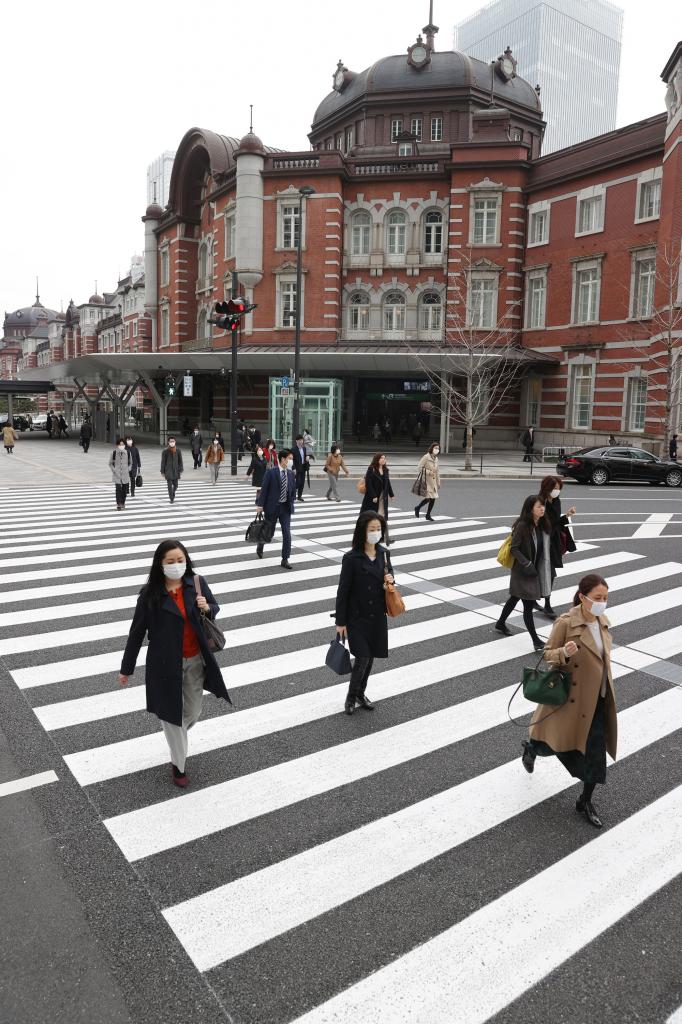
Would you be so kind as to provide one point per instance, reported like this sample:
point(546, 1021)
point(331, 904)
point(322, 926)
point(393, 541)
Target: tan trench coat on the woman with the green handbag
point(568, 730)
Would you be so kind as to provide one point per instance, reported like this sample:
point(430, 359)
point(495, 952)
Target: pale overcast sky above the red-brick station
point(94, 93)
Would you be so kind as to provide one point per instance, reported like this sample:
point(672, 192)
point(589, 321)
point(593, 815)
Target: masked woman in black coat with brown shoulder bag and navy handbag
point(361, 605)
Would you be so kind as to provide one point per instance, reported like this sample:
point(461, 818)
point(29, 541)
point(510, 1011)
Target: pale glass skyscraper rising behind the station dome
point(572, 49)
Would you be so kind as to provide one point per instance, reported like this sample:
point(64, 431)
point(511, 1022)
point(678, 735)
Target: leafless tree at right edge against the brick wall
point(656, 335)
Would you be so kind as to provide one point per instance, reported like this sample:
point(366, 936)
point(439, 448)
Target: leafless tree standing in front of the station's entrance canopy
point(480, 361)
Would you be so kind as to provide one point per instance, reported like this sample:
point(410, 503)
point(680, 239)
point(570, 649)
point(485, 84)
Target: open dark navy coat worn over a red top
point(163, 674)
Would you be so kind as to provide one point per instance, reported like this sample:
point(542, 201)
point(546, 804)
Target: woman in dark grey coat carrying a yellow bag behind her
point(532, 572)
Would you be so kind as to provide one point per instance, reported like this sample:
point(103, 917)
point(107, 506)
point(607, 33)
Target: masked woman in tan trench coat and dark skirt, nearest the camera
point(583, 730)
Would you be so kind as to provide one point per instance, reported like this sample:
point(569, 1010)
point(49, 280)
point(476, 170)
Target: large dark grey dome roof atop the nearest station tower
point(447, 70)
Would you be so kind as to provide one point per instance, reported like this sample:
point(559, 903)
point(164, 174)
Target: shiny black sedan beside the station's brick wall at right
point(600, 465)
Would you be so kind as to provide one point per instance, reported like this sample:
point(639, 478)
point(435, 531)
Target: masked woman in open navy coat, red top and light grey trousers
point(180, 664)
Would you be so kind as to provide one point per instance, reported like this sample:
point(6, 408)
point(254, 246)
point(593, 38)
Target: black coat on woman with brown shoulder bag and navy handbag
point(361, 604)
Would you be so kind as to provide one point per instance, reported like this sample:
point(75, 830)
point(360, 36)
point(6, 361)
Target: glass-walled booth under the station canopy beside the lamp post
point(321, 409)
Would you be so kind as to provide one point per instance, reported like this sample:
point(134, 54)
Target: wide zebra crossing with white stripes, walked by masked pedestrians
point(402, 862)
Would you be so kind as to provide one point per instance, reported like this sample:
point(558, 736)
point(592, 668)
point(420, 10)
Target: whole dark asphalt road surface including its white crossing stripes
point(393, 867)
